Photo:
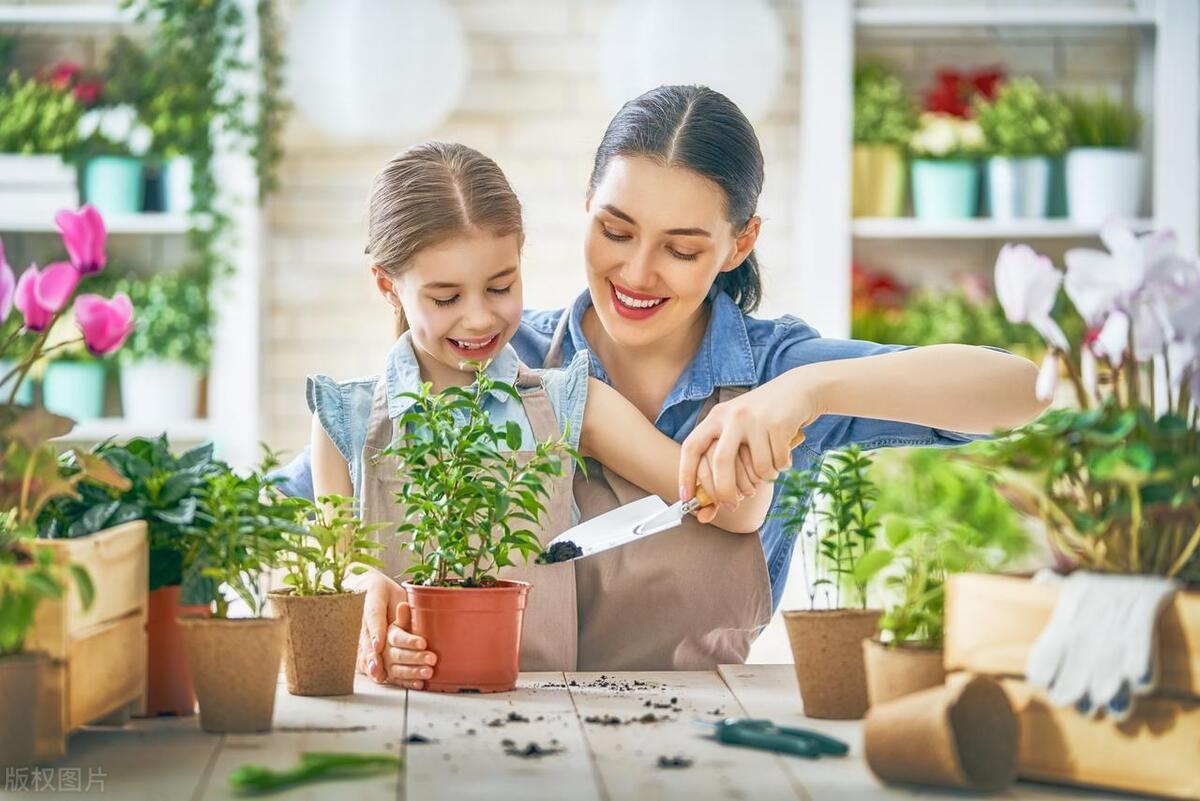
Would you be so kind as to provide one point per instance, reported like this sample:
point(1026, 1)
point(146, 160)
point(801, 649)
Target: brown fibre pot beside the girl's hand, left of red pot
point(321, 641)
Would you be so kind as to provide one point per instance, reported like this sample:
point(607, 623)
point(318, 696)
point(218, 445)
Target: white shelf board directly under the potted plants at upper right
point(909, 228)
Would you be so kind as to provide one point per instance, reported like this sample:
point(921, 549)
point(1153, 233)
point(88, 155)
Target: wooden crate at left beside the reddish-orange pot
point(98, 657)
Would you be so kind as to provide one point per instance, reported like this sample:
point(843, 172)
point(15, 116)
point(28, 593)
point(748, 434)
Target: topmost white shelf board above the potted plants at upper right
point(1024, 17)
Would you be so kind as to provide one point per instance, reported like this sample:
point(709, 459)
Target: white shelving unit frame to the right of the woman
point(1166, 89)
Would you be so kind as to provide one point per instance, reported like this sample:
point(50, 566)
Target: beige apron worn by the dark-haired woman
point(688, 599)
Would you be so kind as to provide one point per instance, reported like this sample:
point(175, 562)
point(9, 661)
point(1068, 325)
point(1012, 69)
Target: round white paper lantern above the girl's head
point(379, 70)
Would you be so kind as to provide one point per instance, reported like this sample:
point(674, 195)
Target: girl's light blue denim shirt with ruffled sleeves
point(344, 408)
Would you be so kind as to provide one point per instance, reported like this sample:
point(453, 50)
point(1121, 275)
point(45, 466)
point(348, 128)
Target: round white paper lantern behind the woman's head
point(736, 49)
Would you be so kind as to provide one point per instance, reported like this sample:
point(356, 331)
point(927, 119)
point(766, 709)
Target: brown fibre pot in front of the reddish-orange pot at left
point(236, 668)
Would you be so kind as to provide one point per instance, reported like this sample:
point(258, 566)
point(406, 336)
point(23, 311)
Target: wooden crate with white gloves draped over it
point(992, 623)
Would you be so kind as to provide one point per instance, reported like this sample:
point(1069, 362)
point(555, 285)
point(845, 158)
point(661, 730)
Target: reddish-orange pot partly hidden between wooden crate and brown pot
point(169, 678)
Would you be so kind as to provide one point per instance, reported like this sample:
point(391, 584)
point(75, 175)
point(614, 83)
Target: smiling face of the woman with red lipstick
point(658, 238)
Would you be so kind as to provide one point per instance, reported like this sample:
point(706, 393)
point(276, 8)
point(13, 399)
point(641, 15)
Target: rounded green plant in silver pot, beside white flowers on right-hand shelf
point(1024, 121)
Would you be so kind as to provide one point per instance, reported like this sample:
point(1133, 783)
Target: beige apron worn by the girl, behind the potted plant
point(549, 631)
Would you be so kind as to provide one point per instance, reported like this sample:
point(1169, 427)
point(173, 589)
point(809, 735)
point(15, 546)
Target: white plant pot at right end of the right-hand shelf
point(1103, 183)
